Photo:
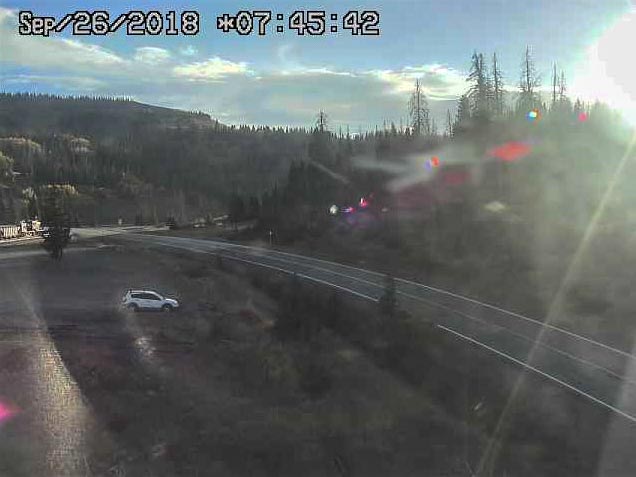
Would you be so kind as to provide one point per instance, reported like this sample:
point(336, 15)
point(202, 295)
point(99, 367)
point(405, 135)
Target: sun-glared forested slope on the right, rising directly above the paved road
point(524, 200)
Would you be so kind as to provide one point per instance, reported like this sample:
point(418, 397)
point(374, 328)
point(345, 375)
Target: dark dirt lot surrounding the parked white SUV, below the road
point(89, 389)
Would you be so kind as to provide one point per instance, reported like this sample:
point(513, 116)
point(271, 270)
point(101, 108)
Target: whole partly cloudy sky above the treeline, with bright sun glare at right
point(359, 81)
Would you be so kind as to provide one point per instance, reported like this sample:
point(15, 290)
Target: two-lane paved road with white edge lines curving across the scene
point(591, 369)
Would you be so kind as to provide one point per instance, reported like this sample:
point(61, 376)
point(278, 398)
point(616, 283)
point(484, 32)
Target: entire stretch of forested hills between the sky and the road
point(532, 185)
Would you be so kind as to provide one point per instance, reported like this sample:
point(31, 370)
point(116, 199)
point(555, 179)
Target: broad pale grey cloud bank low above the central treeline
point(294, 98)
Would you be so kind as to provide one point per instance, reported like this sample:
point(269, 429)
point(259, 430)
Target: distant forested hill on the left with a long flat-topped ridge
point(122, 158)
